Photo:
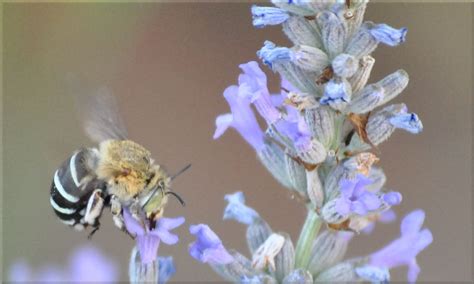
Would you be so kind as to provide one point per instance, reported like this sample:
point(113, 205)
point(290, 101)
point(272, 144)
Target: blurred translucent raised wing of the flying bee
point(99, 113)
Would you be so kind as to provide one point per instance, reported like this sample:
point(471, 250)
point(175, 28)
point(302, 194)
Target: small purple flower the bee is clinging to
point(149, 241)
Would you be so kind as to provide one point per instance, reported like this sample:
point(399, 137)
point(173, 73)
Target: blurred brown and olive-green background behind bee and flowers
point(168, 65)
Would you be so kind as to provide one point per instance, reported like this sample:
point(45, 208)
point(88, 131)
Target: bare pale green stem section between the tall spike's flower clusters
point(309, 231)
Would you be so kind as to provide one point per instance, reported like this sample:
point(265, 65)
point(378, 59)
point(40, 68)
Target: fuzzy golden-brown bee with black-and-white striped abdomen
point(118, 173)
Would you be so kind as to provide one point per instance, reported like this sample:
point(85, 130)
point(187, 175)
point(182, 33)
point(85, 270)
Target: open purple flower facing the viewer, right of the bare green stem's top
point(355, 198)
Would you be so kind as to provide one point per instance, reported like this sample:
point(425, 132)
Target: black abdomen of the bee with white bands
point(73, 184)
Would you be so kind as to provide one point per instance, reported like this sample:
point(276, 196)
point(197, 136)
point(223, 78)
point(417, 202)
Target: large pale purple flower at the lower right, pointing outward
point(403, 251)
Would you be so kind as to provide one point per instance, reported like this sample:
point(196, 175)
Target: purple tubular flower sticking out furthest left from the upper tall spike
point(242, 119)
